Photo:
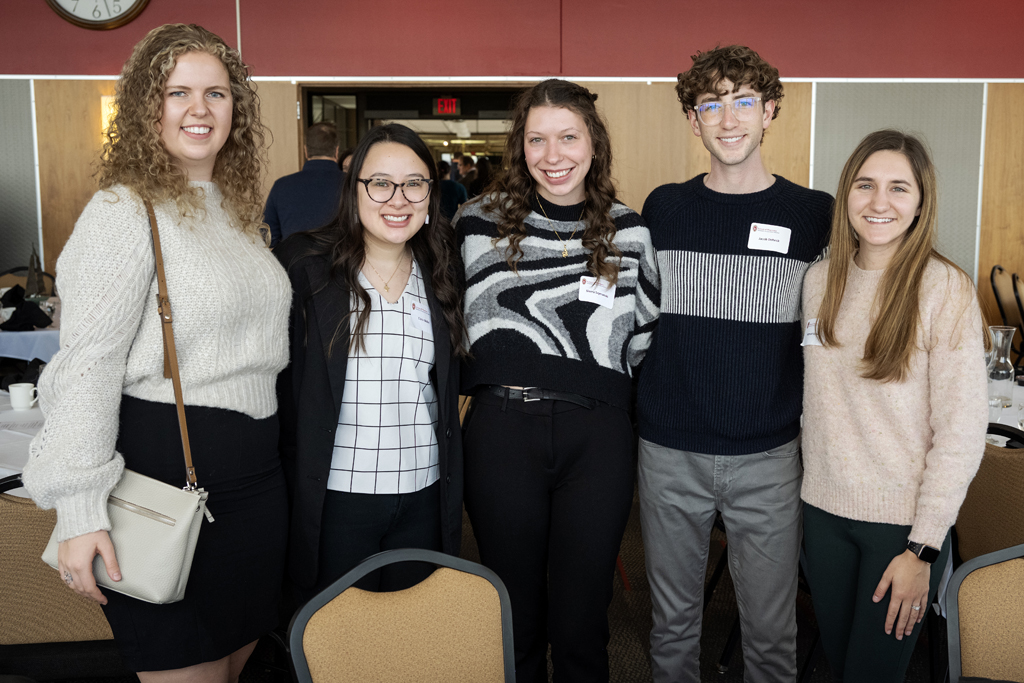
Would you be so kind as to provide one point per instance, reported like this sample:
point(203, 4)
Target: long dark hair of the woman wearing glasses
point(434, 246)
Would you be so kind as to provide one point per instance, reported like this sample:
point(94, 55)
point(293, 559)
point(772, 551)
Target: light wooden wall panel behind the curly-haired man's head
point(653, 144)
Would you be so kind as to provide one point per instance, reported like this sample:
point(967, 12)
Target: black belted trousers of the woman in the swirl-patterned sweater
point(549, 486)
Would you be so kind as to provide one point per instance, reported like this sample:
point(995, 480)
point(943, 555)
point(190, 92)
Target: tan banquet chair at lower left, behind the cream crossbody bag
point(48, 631)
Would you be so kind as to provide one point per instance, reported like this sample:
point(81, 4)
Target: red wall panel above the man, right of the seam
point(802, 38)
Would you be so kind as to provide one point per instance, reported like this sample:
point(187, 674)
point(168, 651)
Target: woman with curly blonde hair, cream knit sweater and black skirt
point(188, 139)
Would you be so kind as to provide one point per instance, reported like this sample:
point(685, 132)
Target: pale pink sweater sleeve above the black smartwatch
point(958, 394)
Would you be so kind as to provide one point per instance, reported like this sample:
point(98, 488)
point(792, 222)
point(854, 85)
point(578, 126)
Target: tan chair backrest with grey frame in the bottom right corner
point(986, 609)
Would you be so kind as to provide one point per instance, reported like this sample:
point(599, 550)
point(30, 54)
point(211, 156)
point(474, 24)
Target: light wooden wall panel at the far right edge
point(1002, 210)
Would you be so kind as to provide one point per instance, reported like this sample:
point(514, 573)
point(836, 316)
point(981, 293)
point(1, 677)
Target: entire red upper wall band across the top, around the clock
point(580, 38)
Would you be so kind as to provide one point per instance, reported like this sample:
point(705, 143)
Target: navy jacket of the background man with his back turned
point(304, 201)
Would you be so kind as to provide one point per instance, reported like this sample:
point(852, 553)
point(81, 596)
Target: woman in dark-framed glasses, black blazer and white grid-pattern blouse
point(370, 417)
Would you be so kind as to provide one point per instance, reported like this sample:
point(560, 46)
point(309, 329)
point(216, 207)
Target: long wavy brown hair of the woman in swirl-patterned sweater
point(513, 194)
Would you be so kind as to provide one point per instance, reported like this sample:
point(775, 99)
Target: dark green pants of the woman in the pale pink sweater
point(845, 563)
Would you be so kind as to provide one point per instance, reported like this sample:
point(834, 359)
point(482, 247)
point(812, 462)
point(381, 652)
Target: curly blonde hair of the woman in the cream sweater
point(134, 154)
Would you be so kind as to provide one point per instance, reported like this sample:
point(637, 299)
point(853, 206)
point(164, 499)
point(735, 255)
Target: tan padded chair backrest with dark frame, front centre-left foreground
point(454, 626)
